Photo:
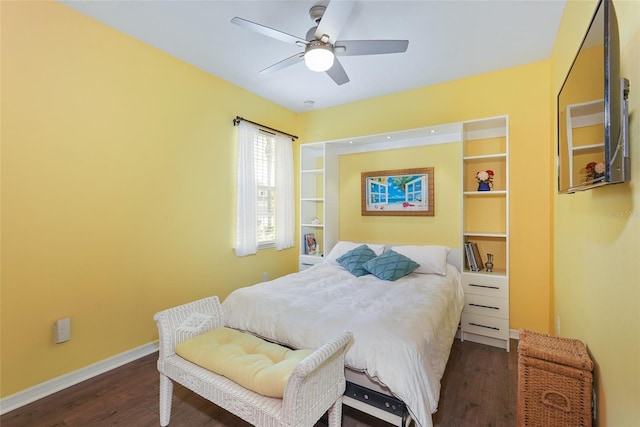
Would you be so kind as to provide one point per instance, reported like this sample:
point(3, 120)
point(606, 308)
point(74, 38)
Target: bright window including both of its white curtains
point(265, 208)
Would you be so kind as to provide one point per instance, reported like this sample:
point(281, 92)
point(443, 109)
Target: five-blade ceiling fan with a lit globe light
point(321, 46)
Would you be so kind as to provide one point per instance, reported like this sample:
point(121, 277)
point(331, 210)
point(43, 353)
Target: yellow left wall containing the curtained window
point(117, 161)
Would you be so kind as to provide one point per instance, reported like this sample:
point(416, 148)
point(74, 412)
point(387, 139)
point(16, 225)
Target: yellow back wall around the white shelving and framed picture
point(523, 93)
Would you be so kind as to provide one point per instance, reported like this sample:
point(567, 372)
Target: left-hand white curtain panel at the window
point(246, 235)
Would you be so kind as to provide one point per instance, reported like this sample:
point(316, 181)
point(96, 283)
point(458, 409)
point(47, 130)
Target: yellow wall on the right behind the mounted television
point(597, 240)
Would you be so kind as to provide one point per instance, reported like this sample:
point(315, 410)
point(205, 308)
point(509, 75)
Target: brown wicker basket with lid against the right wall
point(554, 381)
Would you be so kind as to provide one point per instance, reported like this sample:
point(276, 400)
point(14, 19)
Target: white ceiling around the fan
point(448, 39)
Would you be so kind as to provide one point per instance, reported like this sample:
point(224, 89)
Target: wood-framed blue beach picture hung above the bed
point(398, 192)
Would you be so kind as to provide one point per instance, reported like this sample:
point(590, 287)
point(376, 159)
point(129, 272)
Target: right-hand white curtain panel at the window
point(285, 212)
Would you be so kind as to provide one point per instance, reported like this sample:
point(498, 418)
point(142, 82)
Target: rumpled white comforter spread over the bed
point(403, 330)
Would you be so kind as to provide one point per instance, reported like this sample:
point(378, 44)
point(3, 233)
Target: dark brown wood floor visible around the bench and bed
point(478, 389)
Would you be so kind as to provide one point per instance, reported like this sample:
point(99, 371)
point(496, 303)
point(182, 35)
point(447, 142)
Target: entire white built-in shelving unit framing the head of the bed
point(485, 216)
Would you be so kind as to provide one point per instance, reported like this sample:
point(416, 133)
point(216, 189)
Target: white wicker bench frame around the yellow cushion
point(315, 386)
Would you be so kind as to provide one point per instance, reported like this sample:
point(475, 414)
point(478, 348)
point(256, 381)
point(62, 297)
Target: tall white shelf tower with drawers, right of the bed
point(485, 218)
